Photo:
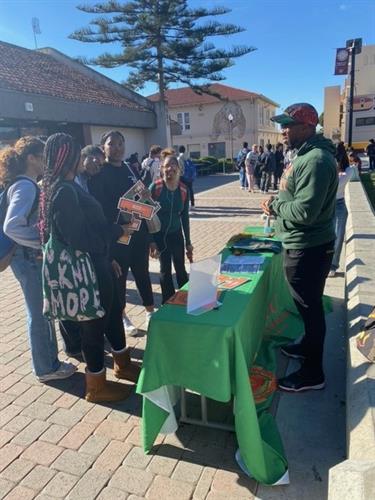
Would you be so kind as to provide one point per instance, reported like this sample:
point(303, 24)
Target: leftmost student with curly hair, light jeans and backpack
point(20, 166)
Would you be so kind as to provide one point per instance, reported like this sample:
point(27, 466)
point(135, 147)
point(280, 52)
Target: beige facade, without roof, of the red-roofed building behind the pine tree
point(210, 128)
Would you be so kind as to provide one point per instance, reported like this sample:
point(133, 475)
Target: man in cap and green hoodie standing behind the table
point(305, 212)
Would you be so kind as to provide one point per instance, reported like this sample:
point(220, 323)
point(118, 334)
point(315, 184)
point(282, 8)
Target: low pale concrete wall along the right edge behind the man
point(355, 477)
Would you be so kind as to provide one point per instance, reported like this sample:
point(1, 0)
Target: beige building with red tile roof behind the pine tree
point(202, 123)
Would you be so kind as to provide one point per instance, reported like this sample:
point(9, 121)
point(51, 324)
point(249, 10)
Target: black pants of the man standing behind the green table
point(306, 271)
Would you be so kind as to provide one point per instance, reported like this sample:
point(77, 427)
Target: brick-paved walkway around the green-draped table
point(56, 445)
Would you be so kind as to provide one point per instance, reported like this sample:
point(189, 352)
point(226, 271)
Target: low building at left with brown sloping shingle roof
point(44, 91)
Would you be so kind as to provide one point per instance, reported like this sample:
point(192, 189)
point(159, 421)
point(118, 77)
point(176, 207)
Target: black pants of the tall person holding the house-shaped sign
point(135, 257)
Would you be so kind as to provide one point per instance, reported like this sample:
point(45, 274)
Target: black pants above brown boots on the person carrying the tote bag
point(92, 332)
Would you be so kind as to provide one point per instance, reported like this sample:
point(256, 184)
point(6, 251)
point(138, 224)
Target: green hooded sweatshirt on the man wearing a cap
point(305, 205)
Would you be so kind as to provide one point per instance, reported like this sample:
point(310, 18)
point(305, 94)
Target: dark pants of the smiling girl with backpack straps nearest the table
point(171, 248)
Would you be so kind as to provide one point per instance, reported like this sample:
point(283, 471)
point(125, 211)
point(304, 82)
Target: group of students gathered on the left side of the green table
point(53, 189)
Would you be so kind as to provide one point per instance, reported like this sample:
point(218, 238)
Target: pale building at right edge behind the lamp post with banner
point(336, 103)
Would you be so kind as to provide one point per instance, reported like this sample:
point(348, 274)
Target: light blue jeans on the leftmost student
point(42, 337)
